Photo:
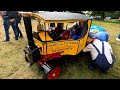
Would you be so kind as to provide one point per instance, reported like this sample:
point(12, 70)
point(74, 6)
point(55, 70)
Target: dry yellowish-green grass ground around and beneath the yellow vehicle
point(13, 65)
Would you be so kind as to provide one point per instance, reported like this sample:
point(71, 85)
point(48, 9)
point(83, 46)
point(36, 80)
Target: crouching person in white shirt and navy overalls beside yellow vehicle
point(101, 54)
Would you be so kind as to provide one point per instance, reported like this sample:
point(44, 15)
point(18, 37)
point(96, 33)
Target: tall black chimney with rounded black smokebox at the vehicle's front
point(32, 52)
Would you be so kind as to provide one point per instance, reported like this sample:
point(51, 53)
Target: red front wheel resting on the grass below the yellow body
point(54, 73)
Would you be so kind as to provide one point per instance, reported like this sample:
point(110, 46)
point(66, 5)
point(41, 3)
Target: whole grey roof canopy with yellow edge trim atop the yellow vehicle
point(58, 16)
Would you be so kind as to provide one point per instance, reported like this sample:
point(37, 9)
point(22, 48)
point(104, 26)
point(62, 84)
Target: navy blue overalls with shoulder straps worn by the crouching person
point(101, 60)
